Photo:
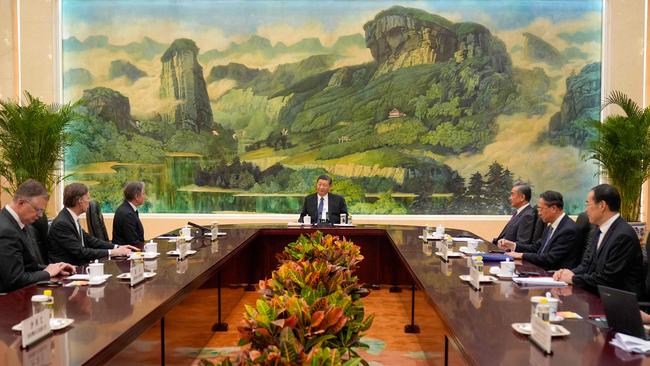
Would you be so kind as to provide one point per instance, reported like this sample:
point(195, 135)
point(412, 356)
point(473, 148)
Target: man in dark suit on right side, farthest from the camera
point(522, 223)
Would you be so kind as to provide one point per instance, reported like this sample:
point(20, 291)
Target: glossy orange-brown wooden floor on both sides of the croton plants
point(188, 335)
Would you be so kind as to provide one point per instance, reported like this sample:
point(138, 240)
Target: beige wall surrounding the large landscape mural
point(31, 62)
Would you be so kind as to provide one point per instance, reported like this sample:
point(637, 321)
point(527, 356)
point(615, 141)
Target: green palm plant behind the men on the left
point(32, 138)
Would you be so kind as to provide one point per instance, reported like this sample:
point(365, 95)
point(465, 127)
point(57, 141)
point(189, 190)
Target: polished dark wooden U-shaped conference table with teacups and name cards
point(110, 317)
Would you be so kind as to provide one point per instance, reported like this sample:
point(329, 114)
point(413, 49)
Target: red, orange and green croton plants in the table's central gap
point(309, 311)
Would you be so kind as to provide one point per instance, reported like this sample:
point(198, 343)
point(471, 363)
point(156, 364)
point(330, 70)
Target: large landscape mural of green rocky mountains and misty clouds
point(423, 107)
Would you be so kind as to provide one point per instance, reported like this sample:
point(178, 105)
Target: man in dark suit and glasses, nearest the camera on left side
point(18, 267)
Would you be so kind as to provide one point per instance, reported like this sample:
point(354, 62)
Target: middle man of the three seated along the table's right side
point(557, 248)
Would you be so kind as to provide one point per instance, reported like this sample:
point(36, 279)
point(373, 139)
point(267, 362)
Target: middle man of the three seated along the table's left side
point(68, 241)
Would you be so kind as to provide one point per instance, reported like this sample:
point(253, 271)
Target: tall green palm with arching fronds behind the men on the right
point(622, 147)
